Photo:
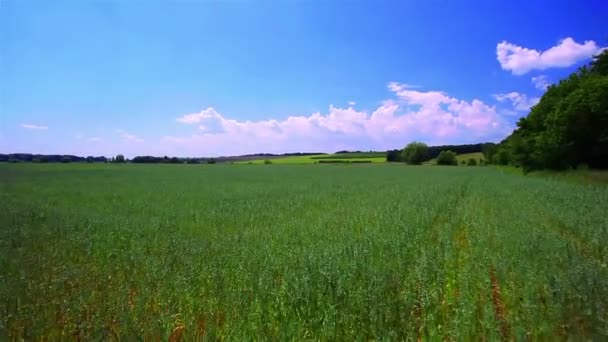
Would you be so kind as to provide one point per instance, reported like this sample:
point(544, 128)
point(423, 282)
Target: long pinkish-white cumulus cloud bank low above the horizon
point(431, 116)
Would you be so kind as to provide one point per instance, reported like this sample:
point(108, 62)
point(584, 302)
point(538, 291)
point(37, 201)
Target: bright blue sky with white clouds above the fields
point(206, 78)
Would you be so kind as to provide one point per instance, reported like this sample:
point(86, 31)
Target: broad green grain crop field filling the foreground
point(295, 252)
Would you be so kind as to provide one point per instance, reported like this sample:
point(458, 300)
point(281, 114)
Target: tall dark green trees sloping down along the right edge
point(568, 128)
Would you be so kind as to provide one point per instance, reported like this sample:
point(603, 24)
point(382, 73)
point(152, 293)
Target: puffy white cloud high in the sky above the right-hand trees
point(520, 60)
